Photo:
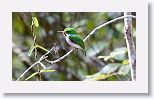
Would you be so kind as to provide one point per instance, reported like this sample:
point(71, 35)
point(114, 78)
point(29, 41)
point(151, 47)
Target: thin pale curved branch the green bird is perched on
point(91, 33)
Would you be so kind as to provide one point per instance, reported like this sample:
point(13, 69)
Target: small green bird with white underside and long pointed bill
point(73, 38)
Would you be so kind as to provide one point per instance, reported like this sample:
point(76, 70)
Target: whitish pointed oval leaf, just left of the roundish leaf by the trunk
point(109, 68)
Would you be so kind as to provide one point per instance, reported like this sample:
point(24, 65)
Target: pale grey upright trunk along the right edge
point(130, 45)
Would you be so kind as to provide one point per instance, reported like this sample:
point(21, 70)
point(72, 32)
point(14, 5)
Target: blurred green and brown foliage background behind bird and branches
point(106, 59)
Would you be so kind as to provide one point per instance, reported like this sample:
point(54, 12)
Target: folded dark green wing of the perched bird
point(77, 39)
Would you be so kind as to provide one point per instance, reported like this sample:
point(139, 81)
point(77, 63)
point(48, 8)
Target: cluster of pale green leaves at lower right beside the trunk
point(114, 70)
